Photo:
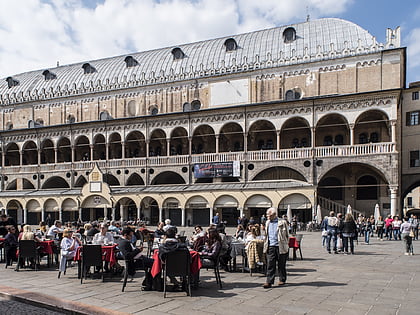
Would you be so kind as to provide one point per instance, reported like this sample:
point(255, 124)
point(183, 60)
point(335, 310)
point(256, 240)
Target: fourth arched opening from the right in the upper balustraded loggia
point(262, 136)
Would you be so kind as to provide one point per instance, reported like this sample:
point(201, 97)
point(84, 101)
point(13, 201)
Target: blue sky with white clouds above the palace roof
point(36, 34)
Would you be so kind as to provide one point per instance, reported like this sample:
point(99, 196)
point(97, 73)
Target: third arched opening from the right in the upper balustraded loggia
point(295, 133)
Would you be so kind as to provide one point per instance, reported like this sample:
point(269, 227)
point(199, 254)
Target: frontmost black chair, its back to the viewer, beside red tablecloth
point(177, 264)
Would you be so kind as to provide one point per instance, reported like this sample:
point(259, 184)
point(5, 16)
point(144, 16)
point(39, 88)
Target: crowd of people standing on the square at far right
point(341, 233)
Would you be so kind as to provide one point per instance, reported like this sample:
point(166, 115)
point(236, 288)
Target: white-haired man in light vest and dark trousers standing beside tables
point(276, 246)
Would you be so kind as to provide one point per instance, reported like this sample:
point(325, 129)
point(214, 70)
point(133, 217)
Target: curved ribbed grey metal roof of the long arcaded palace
point(315, 40)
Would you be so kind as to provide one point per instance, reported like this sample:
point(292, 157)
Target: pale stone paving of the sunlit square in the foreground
point(378, 279)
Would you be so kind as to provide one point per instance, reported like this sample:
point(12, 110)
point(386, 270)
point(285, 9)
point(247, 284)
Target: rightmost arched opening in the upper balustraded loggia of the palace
point(371, 127)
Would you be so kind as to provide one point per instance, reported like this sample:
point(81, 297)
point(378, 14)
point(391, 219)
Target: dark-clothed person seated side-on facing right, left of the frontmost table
point(133, 254)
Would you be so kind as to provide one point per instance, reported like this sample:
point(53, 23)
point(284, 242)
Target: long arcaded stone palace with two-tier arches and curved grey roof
point(292, 117)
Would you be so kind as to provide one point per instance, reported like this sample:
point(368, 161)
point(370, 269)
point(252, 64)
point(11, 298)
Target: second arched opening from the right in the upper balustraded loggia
point(332, 128)
